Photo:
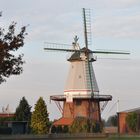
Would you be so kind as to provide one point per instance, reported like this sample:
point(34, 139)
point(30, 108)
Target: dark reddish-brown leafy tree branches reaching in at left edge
point(10, 42)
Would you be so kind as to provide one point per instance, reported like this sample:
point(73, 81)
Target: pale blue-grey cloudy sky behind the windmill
point(115, 26)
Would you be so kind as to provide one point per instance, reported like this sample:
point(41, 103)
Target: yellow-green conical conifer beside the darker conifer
point(39, 118)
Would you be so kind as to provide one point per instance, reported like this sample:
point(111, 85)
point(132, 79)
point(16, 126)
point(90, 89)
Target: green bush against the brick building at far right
point(132, 121)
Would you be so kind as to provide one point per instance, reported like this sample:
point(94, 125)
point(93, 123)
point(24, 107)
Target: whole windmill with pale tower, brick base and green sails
point(81, 96)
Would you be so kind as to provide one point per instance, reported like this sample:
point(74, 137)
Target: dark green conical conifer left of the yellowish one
point(23, 111)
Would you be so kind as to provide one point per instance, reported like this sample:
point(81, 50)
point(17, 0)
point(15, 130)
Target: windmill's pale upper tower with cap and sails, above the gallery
point(81, 78)
